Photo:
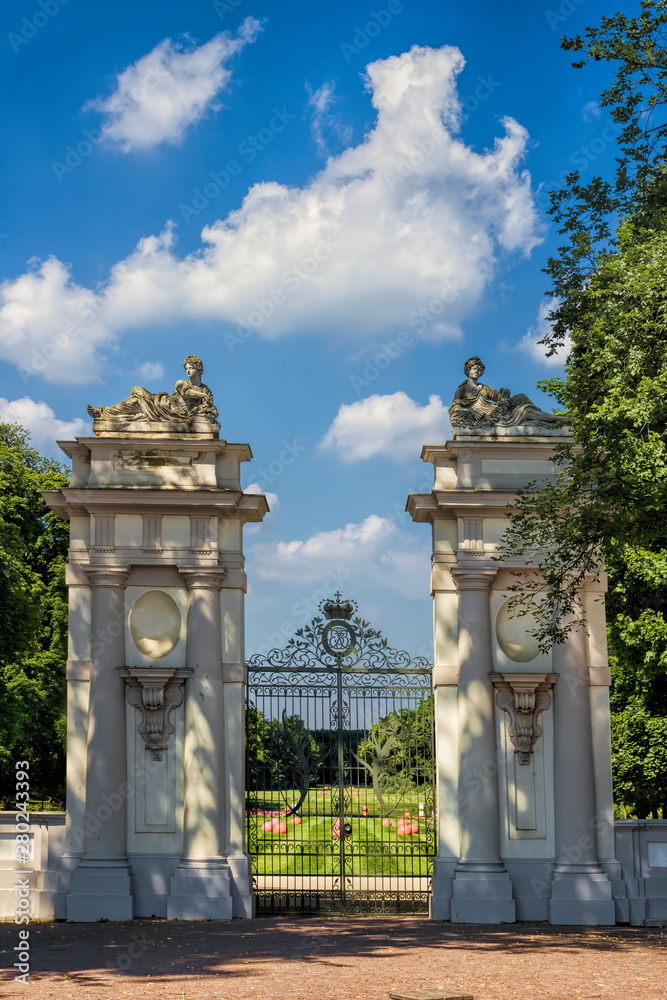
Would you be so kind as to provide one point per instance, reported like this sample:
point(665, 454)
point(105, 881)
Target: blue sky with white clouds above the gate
point(332, 204)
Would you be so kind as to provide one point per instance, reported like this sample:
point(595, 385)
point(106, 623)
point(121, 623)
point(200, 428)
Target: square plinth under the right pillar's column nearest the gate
point(482, 894)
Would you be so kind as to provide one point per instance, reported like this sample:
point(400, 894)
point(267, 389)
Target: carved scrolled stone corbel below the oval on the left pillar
point(156, 693)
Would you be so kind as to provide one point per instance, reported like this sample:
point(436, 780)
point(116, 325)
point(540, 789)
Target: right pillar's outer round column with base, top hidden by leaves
point(580, 890)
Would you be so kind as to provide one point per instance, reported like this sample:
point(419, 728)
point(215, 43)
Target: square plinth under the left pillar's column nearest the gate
point(200, 890)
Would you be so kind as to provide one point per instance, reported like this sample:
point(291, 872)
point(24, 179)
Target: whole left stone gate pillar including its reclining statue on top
point(155, 672)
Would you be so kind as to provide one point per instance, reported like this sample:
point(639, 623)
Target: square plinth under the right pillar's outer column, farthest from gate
point(581, 894)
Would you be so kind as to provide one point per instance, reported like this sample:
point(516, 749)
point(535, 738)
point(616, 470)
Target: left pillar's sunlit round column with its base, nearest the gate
point(200, 887)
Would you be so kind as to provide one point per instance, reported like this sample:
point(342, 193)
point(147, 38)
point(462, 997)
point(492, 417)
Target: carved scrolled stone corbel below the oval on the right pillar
point(524, 697)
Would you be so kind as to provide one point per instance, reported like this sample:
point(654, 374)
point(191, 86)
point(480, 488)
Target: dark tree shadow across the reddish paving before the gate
point(158, 949)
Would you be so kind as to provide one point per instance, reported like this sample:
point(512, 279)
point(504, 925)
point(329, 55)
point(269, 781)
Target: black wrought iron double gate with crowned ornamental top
point(340, 804)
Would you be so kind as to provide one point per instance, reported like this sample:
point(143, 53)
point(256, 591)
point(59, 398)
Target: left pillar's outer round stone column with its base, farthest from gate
point(101, 885)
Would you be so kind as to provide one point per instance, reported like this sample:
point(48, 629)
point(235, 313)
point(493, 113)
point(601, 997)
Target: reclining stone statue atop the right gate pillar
point(477, 406)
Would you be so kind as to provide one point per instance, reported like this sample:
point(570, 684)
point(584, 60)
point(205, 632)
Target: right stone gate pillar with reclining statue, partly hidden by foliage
point(525, 815)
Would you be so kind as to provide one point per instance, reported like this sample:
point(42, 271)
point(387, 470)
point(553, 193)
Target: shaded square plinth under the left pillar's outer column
point(100, 890)
